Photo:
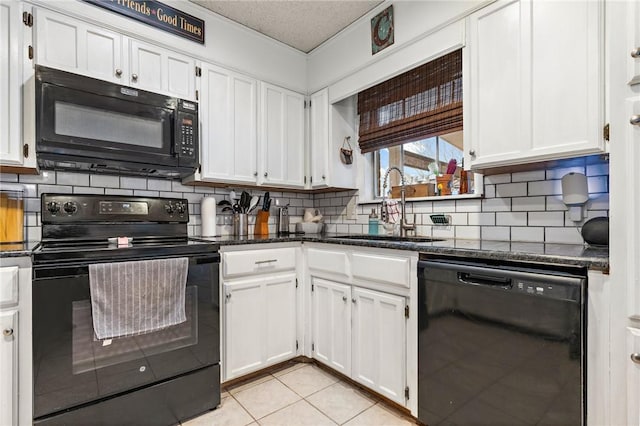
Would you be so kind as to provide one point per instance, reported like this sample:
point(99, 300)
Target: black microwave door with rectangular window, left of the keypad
point(95, 119)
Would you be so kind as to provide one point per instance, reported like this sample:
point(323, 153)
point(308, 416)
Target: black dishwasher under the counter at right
point(500, 343)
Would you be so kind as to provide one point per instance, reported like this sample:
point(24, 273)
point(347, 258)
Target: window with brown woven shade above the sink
point(414, 122)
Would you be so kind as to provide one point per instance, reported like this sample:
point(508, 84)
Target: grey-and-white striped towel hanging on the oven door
point(129, 298)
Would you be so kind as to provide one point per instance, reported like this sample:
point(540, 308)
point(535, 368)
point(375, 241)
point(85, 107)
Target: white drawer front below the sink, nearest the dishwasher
point(387, 269)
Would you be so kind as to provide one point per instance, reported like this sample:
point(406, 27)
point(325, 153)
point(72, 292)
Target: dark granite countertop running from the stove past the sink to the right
point(562, 254)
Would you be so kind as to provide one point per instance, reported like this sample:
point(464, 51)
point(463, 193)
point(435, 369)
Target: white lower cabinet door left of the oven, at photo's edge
point(9, 362)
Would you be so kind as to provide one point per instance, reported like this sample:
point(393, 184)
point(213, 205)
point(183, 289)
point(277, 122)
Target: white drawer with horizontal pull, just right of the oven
point(258, 261)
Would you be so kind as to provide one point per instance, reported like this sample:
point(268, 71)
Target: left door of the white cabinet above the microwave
point(75, 46)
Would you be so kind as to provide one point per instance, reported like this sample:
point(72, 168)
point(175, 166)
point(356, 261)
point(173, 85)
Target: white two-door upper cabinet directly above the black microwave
point(75, 46)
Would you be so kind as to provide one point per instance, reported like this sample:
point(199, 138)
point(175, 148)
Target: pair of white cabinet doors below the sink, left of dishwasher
point(361, 333)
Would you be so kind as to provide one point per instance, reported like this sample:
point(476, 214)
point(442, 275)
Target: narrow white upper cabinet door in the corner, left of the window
point(319, 143)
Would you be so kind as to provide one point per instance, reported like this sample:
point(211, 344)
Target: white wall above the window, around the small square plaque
point(350, 51)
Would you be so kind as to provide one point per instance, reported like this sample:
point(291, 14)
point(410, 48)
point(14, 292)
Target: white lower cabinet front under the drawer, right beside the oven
point(259, 322)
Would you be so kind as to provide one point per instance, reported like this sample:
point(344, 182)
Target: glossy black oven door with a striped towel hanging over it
point(72, 368)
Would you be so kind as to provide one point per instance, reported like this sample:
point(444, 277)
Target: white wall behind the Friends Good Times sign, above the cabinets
point(226, 43)
